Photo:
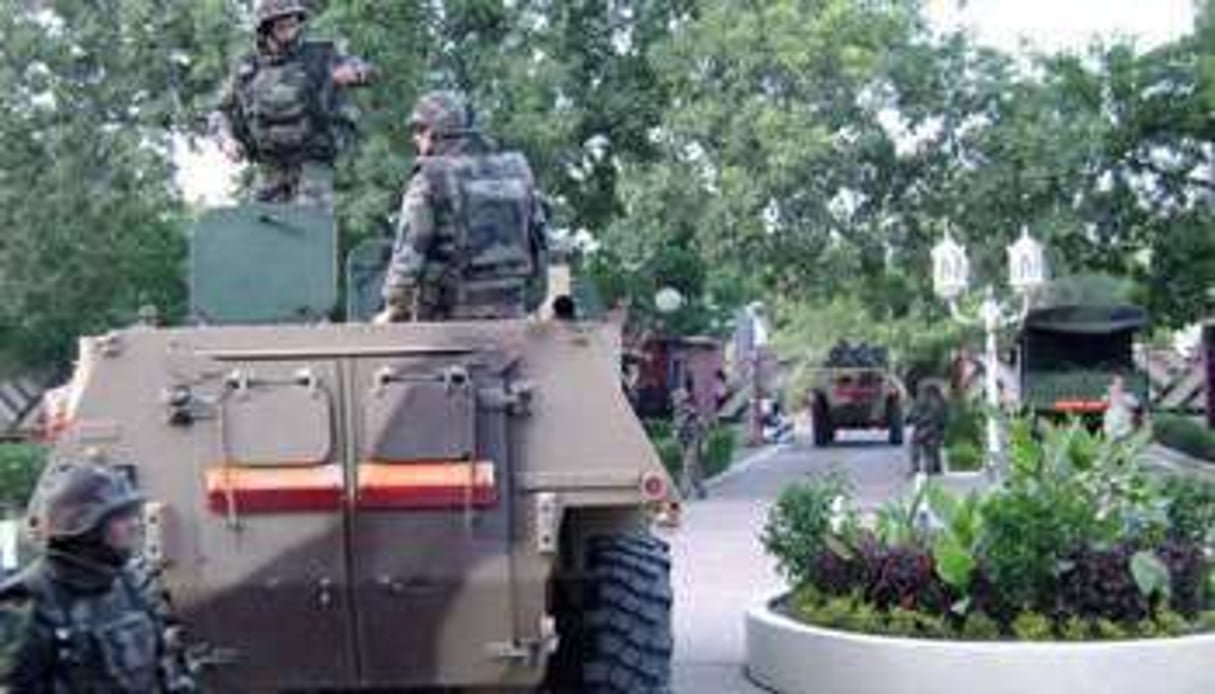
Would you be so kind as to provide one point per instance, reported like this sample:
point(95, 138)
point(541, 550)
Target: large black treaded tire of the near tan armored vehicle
point(626, 629)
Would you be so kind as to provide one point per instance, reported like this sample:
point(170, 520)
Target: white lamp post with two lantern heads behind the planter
point(951, 278)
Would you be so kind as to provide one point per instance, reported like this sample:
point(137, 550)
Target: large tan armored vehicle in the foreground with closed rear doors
point(346, 507)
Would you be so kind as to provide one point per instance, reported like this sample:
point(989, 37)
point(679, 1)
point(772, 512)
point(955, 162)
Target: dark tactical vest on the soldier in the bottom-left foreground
point(109, 642)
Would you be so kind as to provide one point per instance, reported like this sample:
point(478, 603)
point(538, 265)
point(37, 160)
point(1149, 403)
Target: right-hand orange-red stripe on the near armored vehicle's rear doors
point(427, 486)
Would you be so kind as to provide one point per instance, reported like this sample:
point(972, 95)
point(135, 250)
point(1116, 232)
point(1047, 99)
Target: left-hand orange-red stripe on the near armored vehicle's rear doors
point(265, 490)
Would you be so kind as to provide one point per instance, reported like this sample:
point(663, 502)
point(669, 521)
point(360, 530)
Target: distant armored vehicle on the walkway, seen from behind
point(856, 390)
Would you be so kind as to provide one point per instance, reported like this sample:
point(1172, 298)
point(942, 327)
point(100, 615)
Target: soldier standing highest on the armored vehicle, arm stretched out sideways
point(286, 109)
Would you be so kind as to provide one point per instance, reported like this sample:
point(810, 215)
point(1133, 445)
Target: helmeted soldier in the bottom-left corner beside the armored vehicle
point(83, 618)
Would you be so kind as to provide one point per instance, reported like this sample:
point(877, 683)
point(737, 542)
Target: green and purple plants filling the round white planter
point(1076, 534)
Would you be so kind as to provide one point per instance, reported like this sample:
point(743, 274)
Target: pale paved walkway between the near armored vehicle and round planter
point(721, 568)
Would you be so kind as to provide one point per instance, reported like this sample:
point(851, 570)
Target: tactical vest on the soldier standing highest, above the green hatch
point(285, 104)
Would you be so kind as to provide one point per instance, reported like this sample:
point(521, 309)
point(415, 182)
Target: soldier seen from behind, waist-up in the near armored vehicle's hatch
point(471, 244)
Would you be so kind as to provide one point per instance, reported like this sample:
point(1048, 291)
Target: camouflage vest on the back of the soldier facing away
point(485, 212)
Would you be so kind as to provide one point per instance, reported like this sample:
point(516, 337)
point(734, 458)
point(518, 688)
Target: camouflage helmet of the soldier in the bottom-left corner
point(82, 496)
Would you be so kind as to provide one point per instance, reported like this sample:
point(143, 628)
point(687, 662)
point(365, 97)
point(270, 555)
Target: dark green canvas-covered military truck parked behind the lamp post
point(1071, 356)
